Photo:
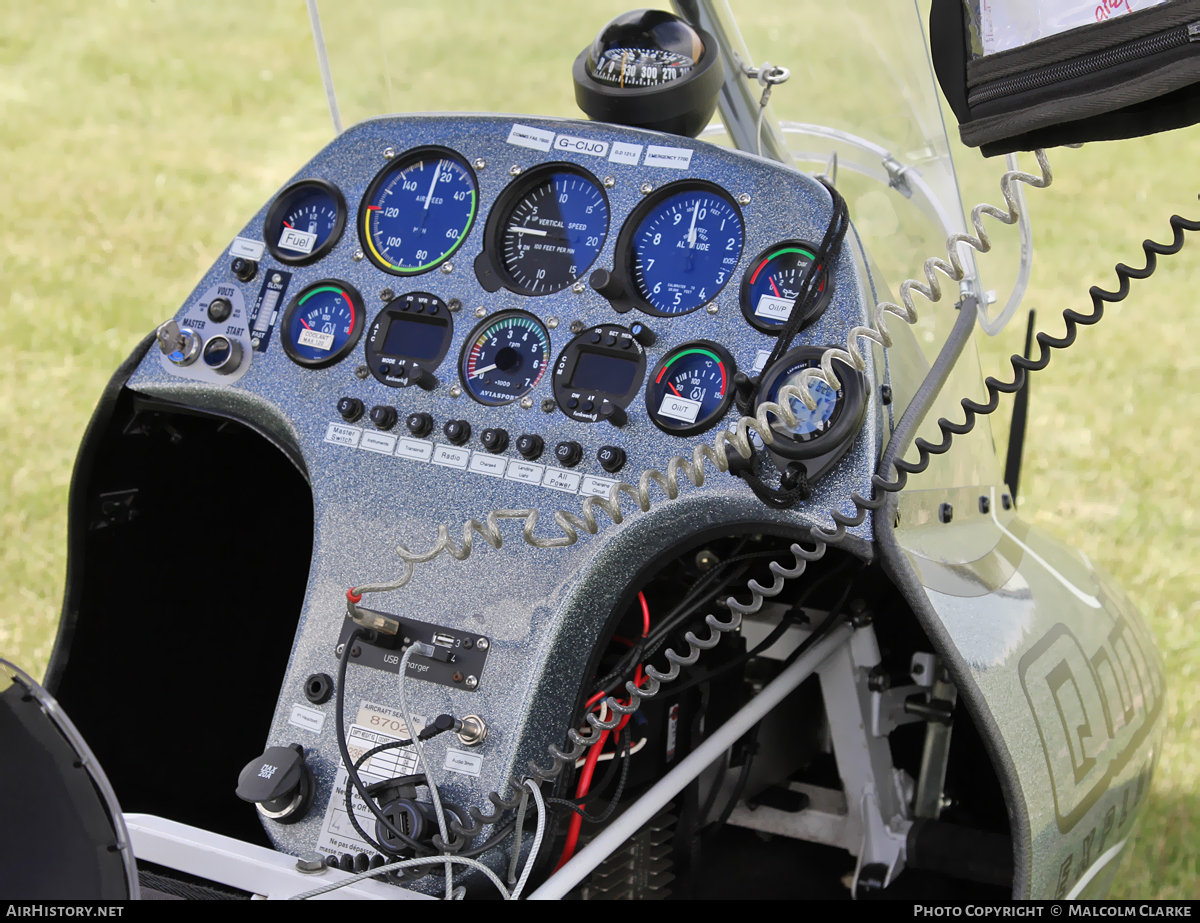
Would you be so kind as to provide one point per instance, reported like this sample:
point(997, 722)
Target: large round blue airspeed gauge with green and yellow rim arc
point(418, 212)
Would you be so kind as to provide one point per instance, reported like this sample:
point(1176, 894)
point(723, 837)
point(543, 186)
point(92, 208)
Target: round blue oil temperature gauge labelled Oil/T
point(692, 388)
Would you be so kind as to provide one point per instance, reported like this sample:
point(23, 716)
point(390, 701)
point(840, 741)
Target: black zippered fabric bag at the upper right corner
point(1130, 76)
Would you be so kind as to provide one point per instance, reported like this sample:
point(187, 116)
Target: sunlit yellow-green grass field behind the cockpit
point(139, 136)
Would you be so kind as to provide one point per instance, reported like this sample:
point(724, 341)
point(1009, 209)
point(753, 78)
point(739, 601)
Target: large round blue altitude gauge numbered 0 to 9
point(685, 247)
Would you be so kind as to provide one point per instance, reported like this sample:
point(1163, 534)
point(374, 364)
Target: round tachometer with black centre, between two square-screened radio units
point(505, 358)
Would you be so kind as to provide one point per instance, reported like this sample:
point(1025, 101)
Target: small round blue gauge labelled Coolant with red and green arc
point(322, 325)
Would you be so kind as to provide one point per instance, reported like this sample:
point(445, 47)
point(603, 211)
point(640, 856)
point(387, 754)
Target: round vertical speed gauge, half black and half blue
point(548, 230)
